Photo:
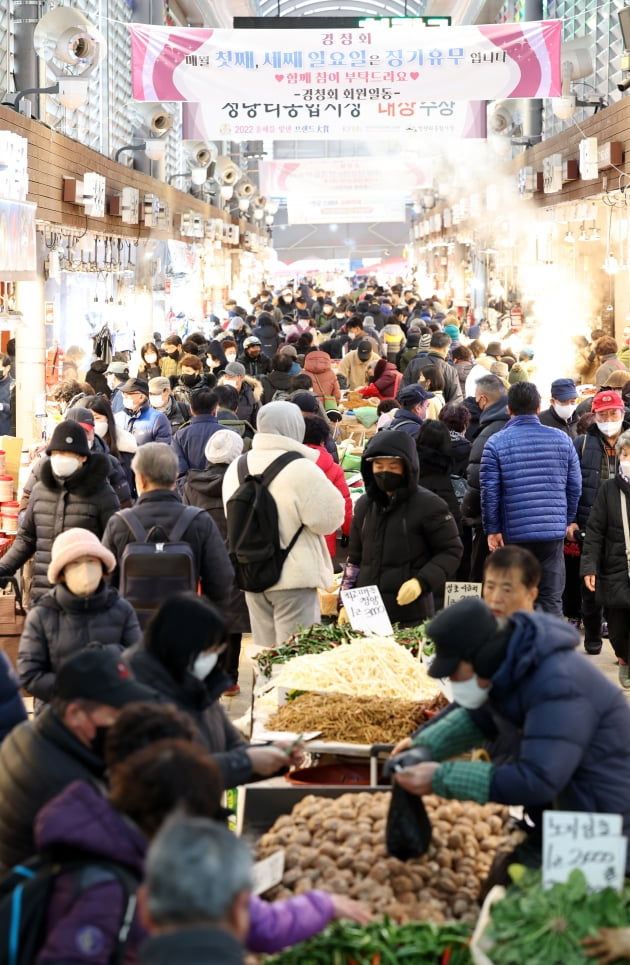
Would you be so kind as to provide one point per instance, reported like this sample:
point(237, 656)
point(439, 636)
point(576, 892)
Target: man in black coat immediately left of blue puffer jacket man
point(491, 397)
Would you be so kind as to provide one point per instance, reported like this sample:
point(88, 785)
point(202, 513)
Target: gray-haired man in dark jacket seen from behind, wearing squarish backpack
point(158, 508)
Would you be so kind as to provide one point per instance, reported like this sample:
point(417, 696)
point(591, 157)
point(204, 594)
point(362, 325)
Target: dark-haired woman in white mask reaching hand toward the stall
point(181, 657)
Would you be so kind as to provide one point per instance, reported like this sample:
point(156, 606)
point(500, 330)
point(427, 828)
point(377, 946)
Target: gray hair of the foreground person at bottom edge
point(194, 871)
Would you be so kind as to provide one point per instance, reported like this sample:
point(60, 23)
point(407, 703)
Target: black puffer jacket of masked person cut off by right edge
point(604, 550)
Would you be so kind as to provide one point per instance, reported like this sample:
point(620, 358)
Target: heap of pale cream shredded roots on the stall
point(374, 667)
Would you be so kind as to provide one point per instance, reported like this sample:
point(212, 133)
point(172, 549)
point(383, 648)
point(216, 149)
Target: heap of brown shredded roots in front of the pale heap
point(354, 720)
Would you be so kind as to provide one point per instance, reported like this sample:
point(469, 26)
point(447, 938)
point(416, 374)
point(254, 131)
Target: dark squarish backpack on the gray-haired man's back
point(151, 570)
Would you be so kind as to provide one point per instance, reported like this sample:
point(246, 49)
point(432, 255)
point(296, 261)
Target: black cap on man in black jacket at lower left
point(99, 675)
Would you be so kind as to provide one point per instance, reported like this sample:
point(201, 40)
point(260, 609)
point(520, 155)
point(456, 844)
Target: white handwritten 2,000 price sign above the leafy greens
point(591, 843)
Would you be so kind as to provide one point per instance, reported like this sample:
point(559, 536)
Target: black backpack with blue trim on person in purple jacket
point(25, 894)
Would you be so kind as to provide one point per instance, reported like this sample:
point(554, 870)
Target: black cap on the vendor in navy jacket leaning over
point(467, 630)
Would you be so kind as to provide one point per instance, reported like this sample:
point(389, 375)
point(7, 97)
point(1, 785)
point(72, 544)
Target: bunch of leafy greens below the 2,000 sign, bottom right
point(544, 927)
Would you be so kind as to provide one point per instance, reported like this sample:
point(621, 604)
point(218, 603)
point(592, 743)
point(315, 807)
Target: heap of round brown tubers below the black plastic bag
point(339, 844)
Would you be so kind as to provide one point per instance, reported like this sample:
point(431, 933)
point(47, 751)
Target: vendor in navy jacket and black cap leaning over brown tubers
point(521, 673)
